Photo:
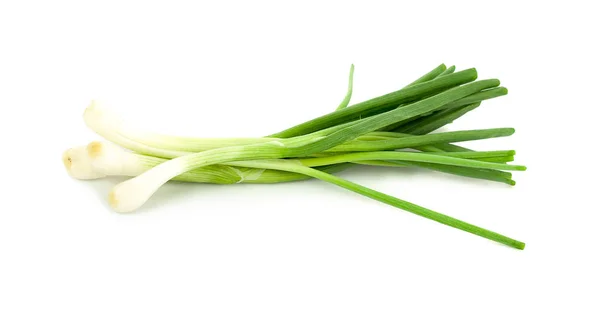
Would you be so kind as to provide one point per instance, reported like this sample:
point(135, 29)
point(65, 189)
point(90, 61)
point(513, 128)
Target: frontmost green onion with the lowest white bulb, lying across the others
point(132, 193)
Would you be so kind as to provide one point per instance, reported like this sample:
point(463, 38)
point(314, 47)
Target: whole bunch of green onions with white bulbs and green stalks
point(393, 130)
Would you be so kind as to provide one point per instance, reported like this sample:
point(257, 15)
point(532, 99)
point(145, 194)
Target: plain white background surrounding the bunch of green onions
point(250, 69)
